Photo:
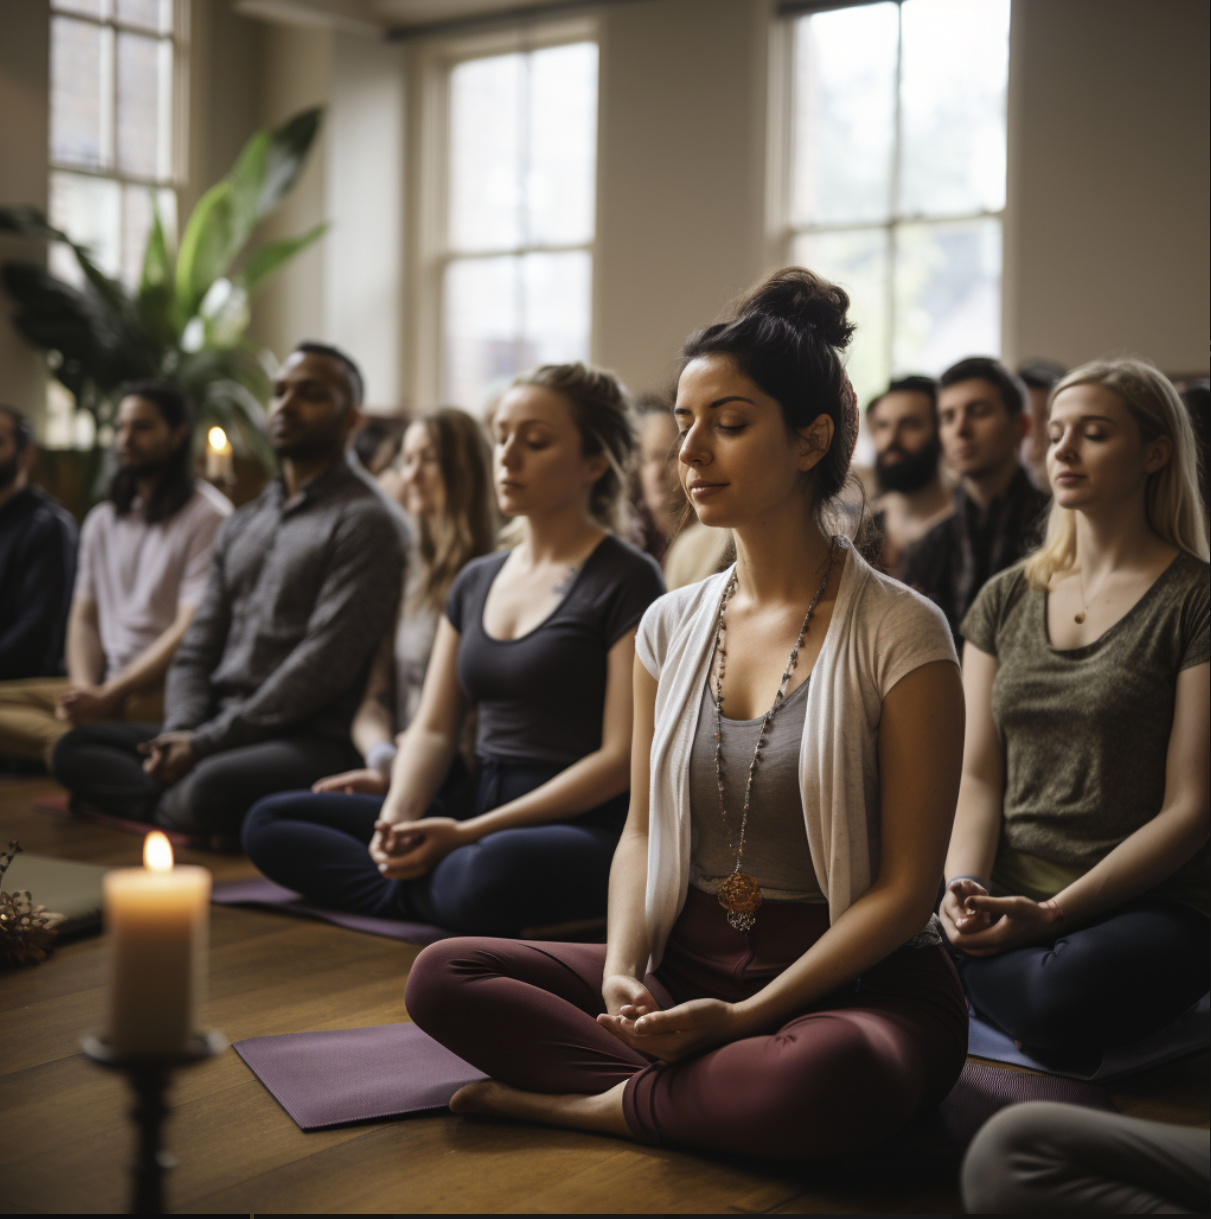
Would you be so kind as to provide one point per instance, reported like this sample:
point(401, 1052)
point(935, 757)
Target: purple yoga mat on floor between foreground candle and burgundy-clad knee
point(327, 1079)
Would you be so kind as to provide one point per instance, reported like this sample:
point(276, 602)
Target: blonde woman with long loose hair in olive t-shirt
point(1077, 895)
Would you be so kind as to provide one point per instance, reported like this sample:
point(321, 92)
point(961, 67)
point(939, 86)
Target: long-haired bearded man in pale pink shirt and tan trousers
point(143, 560)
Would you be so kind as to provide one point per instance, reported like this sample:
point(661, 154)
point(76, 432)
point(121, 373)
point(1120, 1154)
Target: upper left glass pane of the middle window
point(486, 174)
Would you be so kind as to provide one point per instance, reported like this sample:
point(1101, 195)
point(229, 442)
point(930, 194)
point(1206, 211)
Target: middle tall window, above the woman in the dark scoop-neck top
point(519, 260)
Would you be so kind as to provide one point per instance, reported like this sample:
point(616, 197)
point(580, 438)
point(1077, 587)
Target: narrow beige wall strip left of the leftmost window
point(25, 85)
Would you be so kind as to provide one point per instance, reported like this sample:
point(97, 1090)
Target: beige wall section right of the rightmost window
point(1109, 248)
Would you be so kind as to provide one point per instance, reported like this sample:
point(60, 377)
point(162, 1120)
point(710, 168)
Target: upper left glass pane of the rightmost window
point(845, 115)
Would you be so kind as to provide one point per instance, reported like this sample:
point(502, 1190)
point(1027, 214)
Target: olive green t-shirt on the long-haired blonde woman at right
point(1086, 731)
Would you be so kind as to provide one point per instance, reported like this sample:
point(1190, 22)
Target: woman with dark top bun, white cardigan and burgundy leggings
point(773, 984)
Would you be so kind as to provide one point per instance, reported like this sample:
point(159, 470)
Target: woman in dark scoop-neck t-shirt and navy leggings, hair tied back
point(541, 642)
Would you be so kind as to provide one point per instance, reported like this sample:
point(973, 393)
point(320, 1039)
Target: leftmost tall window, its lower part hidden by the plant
point(112, 127)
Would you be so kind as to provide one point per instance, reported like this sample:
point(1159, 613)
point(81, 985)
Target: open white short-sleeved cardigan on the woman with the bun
point(881, 631)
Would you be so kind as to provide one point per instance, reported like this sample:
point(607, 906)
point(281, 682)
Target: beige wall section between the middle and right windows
point(682, 175)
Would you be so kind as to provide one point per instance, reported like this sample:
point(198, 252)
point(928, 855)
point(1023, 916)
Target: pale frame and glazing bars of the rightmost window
point(784, 148)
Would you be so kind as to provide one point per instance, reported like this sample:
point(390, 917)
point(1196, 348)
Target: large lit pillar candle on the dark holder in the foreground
point(157, 919)
